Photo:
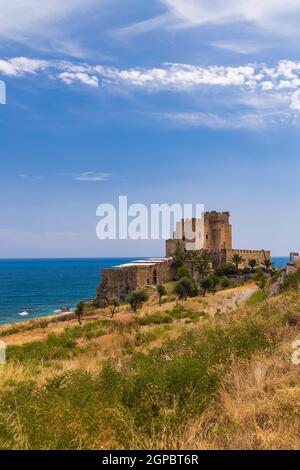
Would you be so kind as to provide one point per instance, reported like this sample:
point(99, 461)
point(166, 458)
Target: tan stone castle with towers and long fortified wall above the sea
point(212, 234)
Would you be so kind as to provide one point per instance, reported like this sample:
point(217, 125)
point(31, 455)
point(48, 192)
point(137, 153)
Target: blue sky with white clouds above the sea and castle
point(164, 101)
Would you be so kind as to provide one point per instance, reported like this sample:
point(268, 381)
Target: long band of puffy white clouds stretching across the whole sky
point(272, 91)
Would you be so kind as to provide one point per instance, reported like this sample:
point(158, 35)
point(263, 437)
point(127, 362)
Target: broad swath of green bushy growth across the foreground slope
point(153, 394)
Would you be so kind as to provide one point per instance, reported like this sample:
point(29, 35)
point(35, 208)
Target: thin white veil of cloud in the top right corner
point(275, 16)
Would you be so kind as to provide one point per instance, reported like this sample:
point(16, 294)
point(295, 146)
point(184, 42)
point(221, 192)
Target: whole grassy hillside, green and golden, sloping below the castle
point(211, 373)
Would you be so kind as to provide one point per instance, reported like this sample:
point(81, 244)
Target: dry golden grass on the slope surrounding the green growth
point(258, 403)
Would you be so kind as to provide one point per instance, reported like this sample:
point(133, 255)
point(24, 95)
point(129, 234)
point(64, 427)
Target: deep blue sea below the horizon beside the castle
point(43, 286)
